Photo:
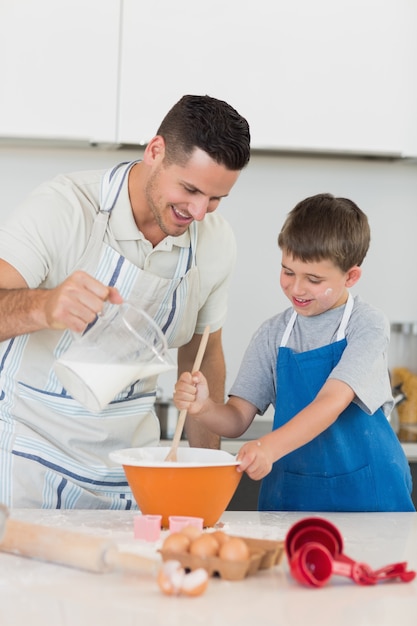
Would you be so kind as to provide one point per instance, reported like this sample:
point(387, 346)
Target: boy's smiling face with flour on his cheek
point(316, 286)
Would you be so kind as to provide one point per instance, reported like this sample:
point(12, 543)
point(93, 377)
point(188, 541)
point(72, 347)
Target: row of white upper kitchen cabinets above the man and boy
point(322, 77)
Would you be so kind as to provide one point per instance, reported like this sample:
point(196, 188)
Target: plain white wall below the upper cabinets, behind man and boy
point(266, 191)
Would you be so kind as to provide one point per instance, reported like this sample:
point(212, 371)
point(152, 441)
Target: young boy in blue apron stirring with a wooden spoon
point(323, 364)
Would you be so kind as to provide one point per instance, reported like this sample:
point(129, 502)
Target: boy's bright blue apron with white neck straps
point(357, 464)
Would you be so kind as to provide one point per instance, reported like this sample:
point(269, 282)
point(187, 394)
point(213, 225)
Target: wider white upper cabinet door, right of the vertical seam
point(327, 75)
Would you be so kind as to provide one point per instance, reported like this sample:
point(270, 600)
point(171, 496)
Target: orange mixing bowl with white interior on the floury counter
point(200, 483)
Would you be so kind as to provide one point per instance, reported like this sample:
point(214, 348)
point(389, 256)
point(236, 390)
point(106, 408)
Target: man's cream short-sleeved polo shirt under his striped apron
point(47, 234)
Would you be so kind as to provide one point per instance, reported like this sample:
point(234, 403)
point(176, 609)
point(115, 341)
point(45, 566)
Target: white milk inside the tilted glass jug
point(94, 385)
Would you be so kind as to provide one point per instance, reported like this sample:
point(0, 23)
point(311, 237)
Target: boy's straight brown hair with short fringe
point(324, 227)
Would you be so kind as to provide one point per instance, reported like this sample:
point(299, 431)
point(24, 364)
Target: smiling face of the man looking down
point(178, 195)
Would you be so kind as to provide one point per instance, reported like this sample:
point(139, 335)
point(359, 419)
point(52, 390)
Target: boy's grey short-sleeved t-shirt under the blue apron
point(363, 365)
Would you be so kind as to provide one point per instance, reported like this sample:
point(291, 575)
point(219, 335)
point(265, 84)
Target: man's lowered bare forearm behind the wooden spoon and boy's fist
point(214, 369)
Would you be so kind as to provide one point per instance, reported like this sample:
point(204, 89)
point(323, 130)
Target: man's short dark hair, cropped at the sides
point(209, 124)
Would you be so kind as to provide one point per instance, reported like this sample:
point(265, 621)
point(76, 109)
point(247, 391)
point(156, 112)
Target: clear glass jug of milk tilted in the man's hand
point(123, 346)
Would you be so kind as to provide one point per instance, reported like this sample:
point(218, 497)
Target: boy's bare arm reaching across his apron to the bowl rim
point(257, 457)
